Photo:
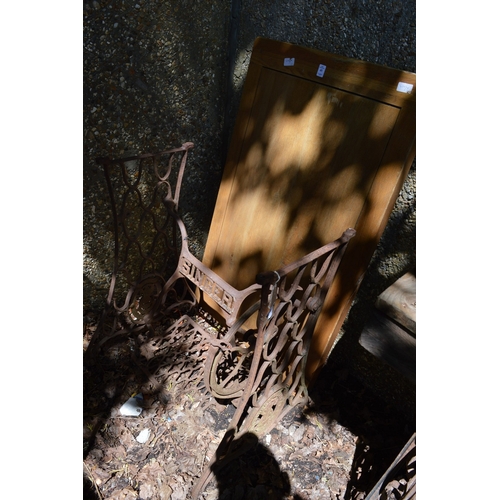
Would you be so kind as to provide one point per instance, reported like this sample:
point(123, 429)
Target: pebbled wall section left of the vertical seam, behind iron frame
point(155, 76)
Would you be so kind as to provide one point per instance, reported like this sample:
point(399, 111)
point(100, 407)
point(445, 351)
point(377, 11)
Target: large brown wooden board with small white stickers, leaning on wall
point(310, 156)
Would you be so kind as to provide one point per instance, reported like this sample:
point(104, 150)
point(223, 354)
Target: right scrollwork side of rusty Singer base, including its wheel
point(264, 369)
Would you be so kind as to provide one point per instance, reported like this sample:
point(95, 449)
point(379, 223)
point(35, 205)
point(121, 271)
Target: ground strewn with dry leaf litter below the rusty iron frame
point(336, 447)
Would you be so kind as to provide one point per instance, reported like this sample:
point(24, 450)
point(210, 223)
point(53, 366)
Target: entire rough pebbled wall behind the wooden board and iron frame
point(157, 73)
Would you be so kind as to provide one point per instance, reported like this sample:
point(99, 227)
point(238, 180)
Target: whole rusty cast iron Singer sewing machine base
point(253, 351)
